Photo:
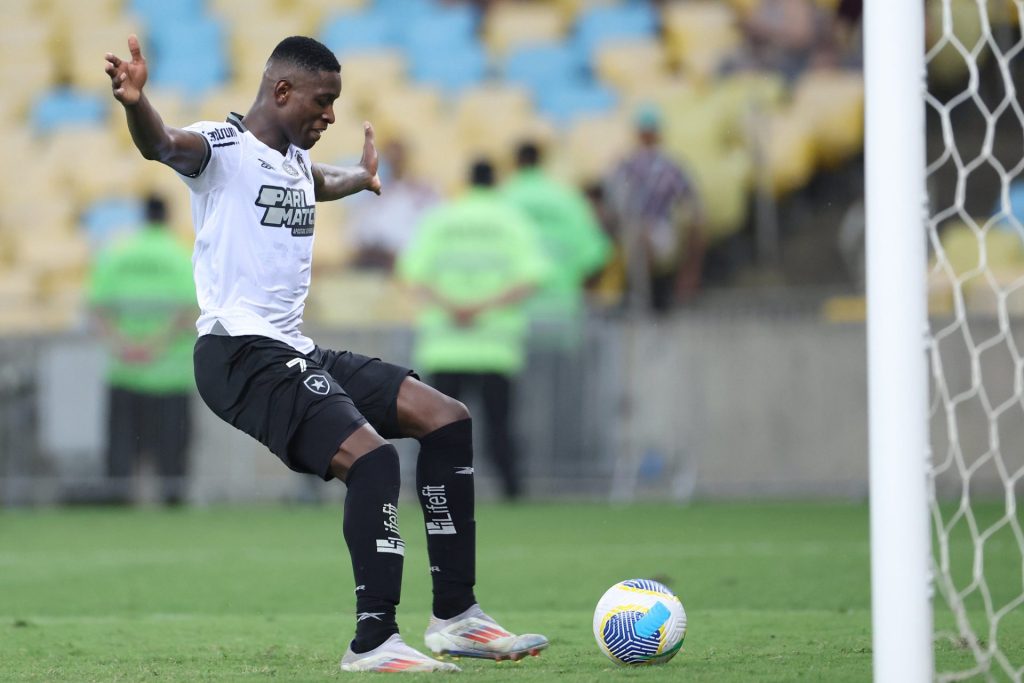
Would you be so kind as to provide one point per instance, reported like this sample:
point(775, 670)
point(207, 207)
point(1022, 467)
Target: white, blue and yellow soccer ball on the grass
point(639, 622)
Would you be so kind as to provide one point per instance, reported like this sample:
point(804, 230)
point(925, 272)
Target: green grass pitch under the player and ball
point(774, 592)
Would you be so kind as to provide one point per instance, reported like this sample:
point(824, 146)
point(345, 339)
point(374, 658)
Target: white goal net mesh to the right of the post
point(975, 178)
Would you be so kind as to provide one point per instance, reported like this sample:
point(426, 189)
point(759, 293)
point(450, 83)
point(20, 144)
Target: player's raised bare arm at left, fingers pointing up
point(184, 151)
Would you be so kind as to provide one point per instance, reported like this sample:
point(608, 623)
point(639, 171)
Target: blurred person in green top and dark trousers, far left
point(143, 297)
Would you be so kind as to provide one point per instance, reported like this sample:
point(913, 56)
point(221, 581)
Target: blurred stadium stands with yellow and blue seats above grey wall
point(756, 389)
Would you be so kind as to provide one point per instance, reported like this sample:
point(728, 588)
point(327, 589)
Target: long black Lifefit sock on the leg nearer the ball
point(445, 485)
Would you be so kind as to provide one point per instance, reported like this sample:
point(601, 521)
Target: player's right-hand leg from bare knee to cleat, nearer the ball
point(445, 485)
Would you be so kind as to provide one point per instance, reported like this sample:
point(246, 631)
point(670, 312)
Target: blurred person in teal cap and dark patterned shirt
point(659, 221)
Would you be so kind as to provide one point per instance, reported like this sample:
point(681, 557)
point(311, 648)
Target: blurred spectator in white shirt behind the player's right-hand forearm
point(383, 228)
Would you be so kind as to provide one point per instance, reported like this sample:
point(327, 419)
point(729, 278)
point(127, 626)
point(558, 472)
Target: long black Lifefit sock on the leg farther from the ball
point(371, 529)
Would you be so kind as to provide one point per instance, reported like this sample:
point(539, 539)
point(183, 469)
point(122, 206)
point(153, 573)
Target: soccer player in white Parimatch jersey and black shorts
point(320, 411)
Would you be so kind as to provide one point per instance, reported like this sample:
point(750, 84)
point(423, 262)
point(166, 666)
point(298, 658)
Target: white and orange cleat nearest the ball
point(474, 634)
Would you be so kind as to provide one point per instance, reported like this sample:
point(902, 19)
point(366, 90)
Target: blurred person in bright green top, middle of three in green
point(476, 262)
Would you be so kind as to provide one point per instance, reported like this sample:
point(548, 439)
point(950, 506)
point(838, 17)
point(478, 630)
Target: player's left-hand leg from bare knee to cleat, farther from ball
point(369, 466)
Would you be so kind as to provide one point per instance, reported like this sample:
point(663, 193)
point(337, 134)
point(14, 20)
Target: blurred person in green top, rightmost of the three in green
point(569, 232)
